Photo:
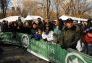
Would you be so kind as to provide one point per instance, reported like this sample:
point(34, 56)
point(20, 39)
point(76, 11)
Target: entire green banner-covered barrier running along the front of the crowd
point(46, 50)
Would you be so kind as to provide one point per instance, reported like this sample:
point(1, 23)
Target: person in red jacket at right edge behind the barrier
point(88, 41)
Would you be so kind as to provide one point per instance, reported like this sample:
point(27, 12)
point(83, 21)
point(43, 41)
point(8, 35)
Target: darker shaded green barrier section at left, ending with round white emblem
point(14, 38)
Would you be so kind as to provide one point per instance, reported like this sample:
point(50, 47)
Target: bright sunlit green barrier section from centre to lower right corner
point(55, 53)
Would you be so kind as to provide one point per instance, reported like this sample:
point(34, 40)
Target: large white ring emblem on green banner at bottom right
point(74, 58)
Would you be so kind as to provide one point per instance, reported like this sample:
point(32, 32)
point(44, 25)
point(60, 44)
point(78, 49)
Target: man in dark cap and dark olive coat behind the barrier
point(70, 35)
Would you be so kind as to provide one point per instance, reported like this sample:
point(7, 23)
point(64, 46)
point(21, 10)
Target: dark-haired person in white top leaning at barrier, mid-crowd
point(47, 35)
